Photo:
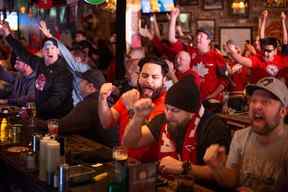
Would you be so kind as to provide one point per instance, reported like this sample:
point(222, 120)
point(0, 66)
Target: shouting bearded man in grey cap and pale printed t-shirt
point(258, 156)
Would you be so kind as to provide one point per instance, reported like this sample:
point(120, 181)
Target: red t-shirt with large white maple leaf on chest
point(208, 66)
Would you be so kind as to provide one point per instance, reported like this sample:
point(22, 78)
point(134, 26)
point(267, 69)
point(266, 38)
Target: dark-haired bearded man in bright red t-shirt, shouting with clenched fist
point(153, 71)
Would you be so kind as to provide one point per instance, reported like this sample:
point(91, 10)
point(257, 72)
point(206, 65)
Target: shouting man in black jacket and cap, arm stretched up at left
point(53, 85)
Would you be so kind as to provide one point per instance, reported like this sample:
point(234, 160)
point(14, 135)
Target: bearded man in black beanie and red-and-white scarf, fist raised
point(182, 133)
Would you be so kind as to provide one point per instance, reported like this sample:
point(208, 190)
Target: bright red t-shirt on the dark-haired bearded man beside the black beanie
point(143, 154)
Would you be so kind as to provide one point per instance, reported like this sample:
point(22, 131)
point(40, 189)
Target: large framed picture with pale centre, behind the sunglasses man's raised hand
point(239, 36)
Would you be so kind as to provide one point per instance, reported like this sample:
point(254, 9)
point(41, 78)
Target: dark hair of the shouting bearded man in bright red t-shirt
point(155, 60)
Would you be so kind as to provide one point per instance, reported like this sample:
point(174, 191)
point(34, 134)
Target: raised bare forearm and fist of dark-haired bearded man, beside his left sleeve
point(108, 116)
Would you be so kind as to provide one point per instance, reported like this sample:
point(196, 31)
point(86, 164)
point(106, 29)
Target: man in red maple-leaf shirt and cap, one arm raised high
point(207, 62)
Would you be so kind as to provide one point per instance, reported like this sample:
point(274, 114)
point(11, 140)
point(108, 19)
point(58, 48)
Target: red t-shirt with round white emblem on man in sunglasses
point(261, 68)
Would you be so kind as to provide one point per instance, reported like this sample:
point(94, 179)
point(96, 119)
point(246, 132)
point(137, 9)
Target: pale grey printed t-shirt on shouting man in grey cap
point(262, 167)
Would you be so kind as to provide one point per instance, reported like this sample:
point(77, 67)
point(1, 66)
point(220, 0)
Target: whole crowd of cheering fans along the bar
point(164, 109)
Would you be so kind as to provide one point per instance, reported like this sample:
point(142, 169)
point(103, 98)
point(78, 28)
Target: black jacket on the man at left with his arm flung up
point(55, 99)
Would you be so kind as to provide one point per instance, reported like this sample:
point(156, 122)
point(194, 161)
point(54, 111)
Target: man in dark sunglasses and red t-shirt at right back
point(269, 63)
